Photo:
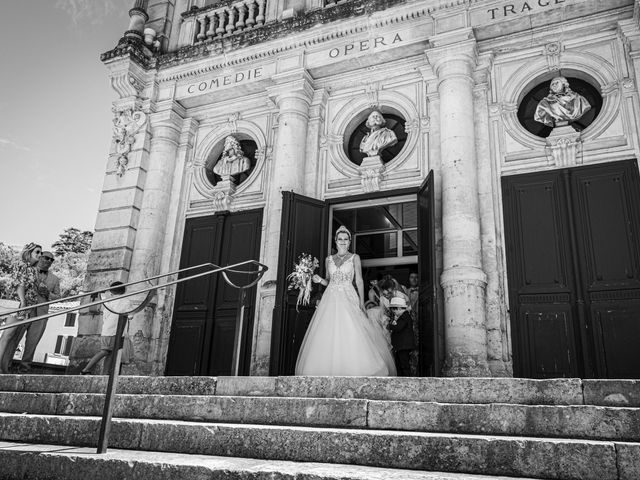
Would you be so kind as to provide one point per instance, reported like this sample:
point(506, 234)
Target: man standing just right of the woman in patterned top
point(48, 289)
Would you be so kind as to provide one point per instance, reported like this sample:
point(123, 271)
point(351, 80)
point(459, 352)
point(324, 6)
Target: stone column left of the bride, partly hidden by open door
point(292, 94)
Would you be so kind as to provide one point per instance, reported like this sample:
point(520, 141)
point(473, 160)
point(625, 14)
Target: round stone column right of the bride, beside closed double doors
point(463, 280)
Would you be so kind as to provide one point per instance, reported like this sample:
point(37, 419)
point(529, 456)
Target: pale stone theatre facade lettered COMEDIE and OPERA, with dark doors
point(509, 279)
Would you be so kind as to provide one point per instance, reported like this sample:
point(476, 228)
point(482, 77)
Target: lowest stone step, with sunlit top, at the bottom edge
point(50, 462)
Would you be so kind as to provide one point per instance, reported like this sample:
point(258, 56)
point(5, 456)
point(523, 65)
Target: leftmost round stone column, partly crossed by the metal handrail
point(147, 253)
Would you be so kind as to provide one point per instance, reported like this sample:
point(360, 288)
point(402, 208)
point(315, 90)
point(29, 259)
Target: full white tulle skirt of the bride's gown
point(342, 341)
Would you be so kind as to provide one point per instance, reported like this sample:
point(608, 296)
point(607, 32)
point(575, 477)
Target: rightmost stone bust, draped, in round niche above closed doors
point(561, 106)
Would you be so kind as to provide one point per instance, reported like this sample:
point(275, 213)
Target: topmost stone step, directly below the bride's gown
point(442, 390)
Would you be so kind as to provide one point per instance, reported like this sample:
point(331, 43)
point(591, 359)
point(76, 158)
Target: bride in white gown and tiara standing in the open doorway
point(341, 340)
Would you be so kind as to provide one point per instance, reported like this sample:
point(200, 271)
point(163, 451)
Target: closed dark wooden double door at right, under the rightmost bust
point(573, 264)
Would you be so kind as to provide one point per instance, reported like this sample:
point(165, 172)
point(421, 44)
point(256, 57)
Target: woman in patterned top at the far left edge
point(24, 282)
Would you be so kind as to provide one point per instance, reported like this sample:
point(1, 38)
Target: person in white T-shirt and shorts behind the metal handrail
point(108, 332)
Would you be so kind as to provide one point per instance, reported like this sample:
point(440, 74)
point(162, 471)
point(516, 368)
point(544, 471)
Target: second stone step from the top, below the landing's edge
point(580, 421)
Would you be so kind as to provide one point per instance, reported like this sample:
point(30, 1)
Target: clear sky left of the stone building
point(55, 113)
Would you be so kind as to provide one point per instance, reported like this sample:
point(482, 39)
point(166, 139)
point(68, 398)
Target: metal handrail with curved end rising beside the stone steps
point(107, 411)
